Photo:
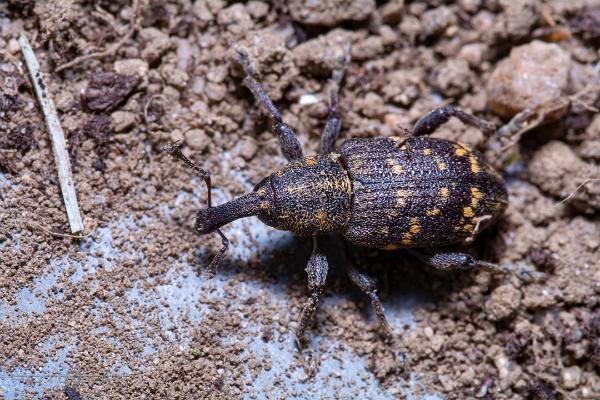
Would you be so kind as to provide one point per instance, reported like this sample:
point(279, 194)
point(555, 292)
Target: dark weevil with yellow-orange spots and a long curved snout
point(413, 192)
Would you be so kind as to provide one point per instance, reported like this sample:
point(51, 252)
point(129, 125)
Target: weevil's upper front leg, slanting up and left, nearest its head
point(290, 146)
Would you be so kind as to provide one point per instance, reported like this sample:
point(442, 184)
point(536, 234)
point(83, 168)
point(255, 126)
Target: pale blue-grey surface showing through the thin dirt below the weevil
point(340, 375)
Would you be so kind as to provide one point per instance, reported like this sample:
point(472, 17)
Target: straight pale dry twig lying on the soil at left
point(59, 145)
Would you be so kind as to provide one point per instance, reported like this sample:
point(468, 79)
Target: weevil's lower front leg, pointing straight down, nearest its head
point(317, 272)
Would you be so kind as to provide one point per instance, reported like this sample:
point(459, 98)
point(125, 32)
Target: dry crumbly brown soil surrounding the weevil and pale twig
point(127, 313)
